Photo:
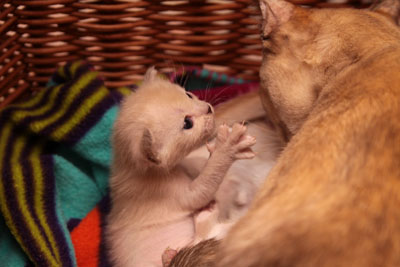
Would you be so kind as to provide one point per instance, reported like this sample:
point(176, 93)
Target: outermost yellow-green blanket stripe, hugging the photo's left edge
point(4, 208)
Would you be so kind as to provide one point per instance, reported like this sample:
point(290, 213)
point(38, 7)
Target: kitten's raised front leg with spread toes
point(229, 146)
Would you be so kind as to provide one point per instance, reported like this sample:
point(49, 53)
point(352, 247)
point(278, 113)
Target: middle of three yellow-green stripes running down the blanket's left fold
point(20, 192)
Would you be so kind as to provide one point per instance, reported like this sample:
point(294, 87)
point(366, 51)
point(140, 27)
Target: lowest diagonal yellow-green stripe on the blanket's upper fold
point(87, 105)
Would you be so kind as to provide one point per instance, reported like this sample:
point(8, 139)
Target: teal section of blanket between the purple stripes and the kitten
point(82, 170)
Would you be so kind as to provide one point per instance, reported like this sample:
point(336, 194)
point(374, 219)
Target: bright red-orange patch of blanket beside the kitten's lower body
point(86, 239)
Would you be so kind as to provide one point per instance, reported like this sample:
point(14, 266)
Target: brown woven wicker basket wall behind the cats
point(123, 38)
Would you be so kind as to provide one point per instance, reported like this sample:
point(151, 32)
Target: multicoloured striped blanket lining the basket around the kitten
point(54, 165)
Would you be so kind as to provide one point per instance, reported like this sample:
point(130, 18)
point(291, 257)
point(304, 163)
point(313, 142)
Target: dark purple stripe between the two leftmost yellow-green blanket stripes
point(12, 203)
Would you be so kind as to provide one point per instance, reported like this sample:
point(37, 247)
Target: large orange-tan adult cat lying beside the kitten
point(331, 82)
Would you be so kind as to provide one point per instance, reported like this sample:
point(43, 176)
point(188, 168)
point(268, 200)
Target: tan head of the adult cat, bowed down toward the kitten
point(305, 48)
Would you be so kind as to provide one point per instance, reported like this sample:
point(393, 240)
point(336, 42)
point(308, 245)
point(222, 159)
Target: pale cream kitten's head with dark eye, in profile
point(159, 124)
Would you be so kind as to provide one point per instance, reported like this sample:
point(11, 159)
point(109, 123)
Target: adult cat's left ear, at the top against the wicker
point(274, 13)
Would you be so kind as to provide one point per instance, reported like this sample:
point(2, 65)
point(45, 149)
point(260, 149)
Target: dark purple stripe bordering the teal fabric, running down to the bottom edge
point(47, 166)
